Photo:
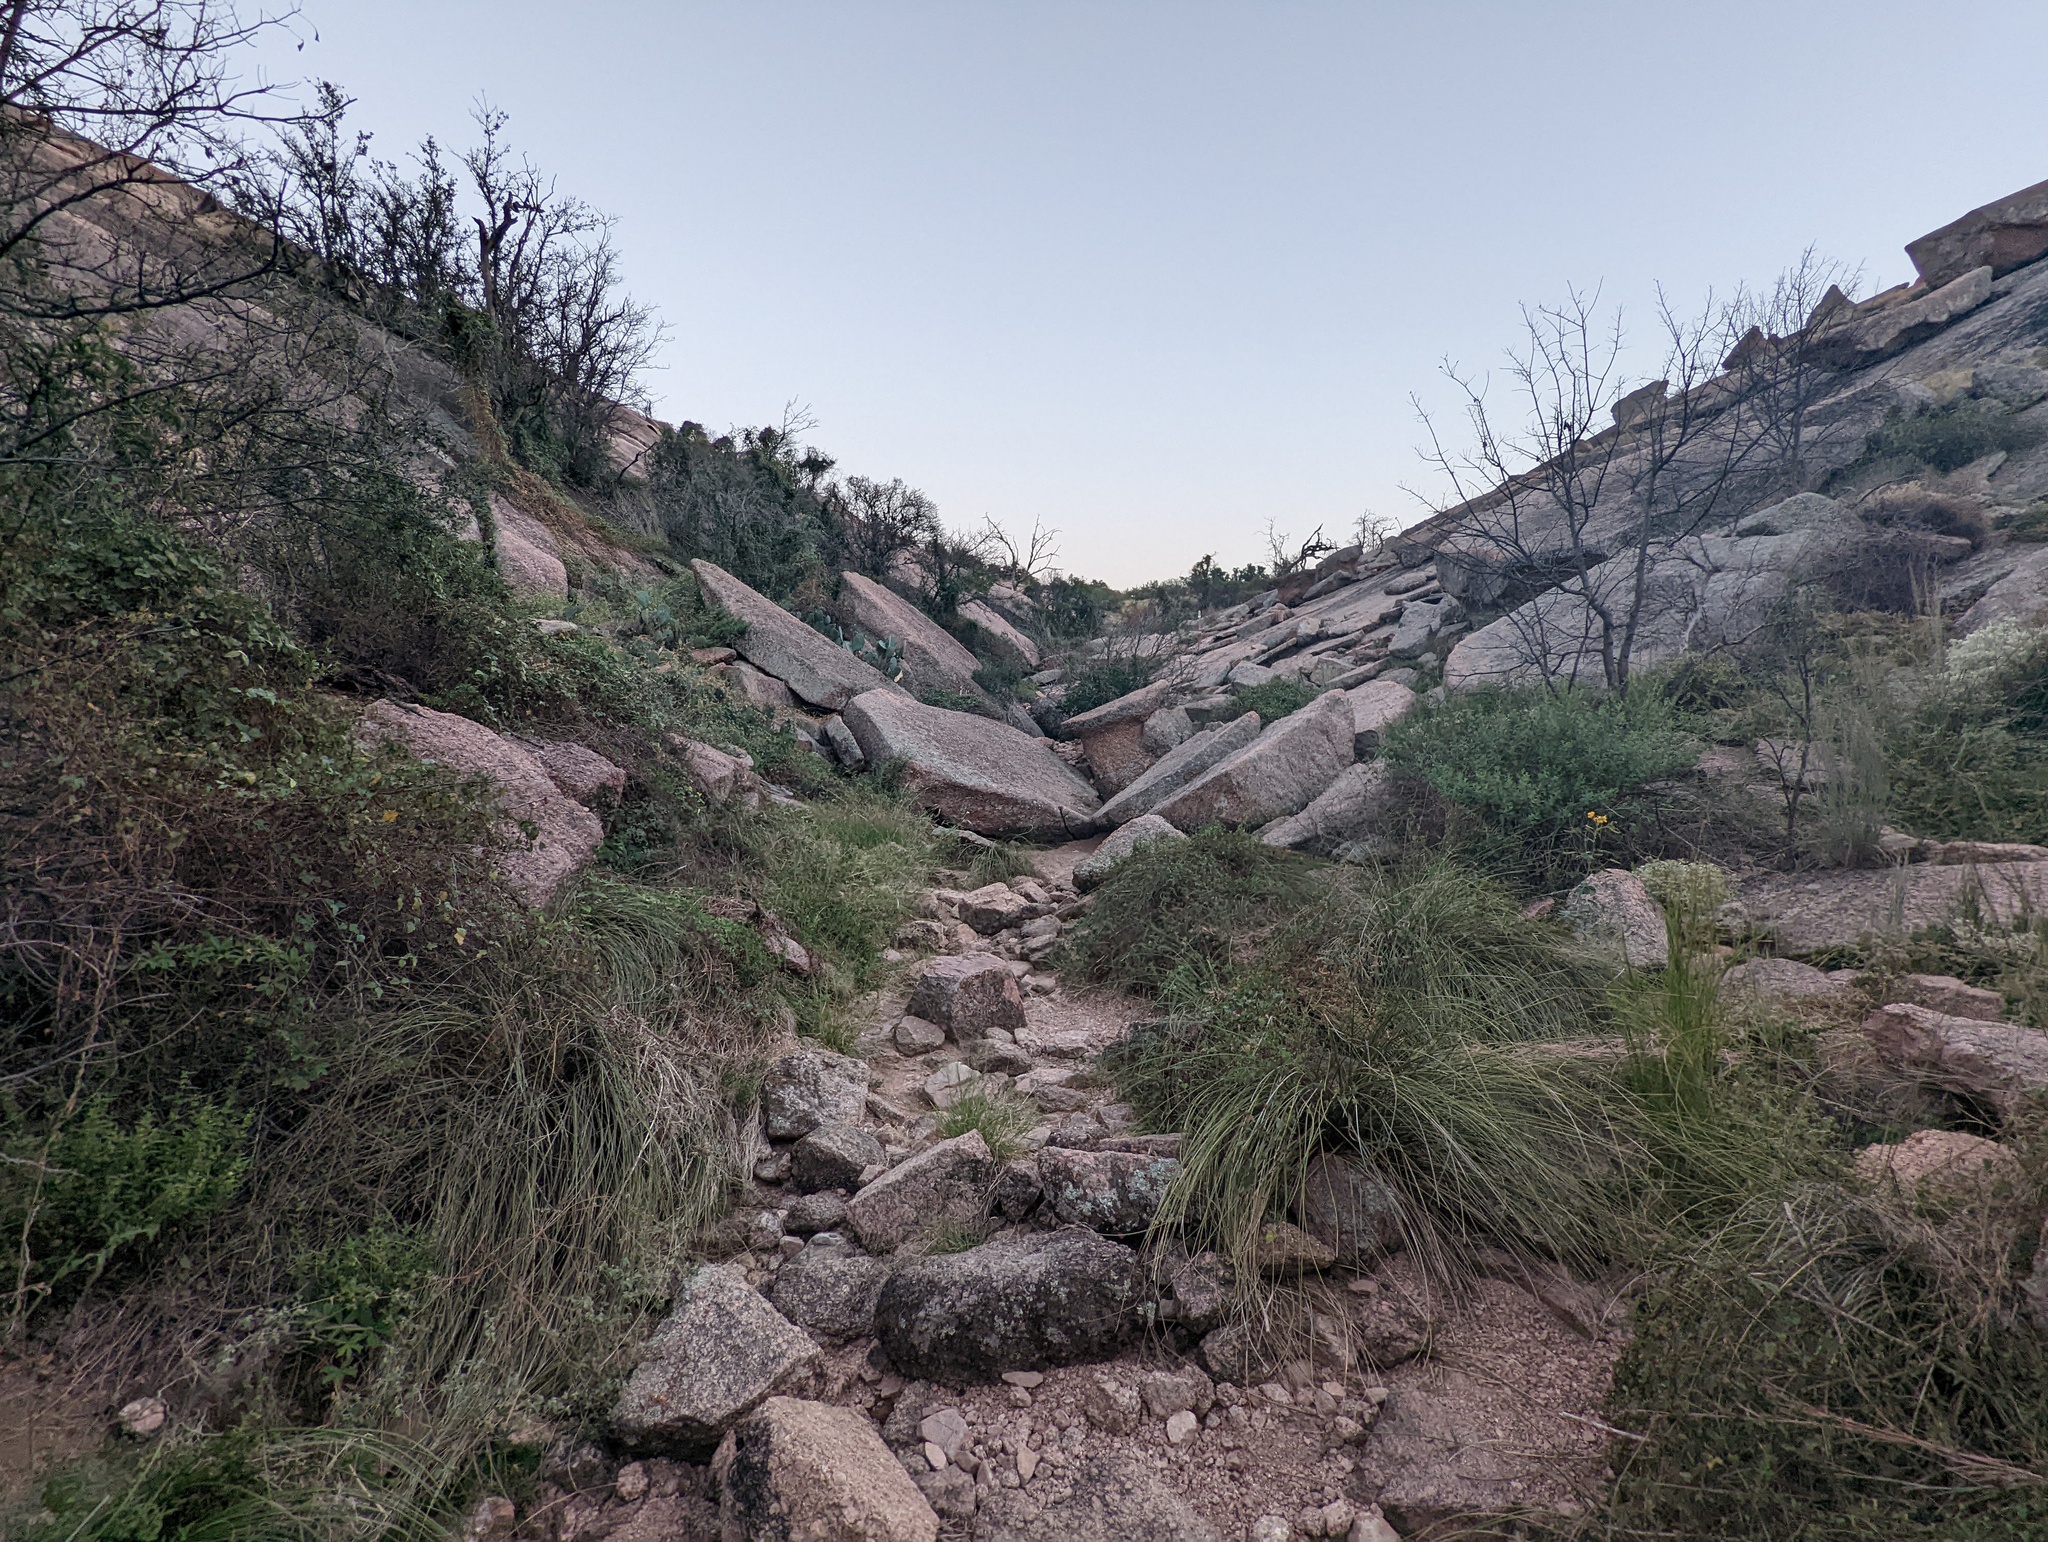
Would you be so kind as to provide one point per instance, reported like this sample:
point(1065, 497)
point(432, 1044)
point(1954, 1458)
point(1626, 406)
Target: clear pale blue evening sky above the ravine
point(1162, 275)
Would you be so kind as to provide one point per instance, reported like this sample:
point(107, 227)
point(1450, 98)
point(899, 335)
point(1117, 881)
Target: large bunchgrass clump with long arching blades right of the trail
point(1400, 1023)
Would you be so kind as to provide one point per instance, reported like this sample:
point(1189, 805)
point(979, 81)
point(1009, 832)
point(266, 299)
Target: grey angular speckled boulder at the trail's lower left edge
point(712, 1363)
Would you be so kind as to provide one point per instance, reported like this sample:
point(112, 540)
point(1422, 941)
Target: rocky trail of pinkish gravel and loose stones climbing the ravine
point(849, 1367)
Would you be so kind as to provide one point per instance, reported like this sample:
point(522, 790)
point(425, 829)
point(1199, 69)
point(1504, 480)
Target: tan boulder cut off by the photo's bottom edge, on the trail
point(816, 1473)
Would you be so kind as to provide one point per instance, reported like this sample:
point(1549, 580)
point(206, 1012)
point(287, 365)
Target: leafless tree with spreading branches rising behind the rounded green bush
point(1594, 488)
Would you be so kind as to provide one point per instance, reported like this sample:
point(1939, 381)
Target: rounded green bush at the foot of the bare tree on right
point(1547, 771)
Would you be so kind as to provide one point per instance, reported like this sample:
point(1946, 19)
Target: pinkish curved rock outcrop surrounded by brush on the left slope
point(568, 837)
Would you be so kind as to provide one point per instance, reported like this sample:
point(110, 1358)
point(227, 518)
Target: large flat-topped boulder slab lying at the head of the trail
point(974, 771)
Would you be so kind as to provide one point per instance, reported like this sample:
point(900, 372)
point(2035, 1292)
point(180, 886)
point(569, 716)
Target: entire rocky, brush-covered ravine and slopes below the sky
point(677, 1000)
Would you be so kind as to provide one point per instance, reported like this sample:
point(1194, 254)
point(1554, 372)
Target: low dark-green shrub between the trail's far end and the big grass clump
point(1181, 902)
